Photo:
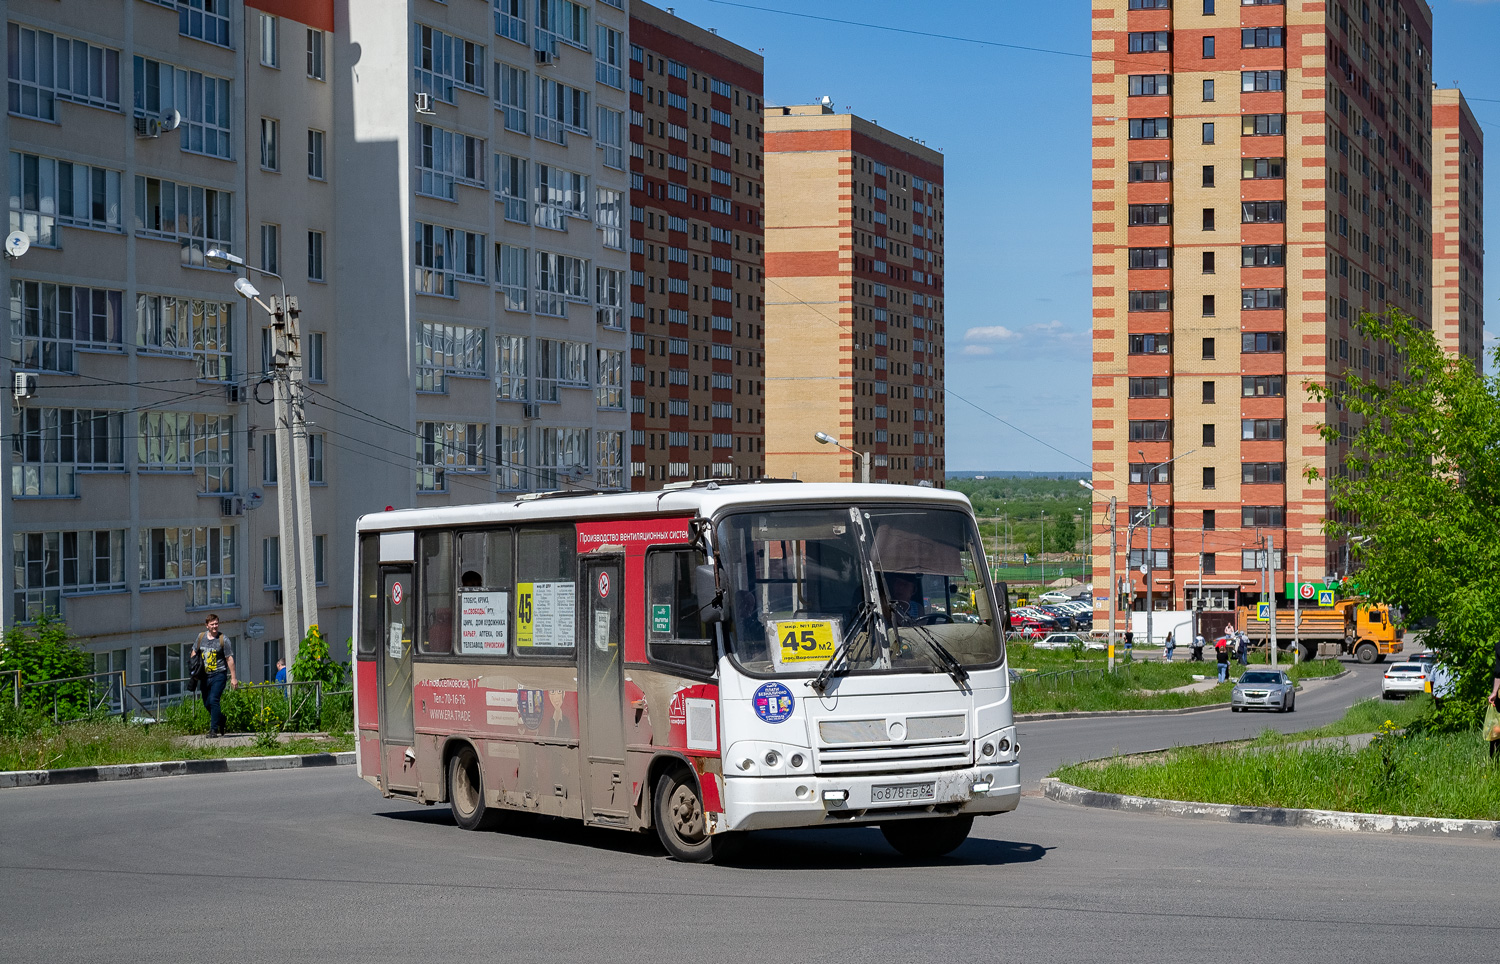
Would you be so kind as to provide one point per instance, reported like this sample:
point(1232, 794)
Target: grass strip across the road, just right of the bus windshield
point(1060, 683)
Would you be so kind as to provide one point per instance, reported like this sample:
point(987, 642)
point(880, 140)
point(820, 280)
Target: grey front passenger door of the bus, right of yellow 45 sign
point(604, 746)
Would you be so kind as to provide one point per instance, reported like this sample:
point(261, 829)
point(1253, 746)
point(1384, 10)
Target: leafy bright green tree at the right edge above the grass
point(1420, 498)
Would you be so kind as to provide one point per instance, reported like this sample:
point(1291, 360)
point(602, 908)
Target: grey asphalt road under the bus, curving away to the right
point(314, 866)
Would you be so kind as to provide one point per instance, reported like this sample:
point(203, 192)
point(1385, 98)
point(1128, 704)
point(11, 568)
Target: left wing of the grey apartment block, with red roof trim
point(140, 136)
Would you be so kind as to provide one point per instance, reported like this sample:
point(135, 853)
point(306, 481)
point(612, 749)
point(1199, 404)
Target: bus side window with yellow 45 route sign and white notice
point(544, 614)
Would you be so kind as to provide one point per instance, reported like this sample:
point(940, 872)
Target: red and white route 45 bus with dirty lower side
point(707, 660)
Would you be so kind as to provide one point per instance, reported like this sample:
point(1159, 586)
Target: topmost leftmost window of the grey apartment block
point(46, 68)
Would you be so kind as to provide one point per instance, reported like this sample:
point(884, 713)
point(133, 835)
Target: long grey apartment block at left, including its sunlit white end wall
point(458, 170)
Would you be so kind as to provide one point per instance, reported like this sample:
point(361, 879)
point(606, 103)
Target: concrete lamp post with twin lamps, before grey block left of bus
point(293, 492)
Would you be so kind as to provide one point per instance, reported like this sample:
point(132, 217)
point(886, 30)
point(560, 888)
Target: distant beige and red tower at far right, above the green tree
point(1459, 227)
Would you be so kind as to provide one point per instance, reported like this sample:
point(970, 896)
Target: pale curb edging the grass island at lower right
point(1271, 816)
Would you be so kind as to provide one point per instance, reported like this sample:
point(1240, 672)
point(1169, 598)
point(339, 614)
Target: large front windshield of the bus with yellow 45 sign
point(802, 588)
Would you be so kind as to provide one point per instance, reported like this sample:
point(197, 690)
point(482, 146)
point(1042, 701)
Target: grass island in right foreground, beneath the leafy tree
point(1426, 776)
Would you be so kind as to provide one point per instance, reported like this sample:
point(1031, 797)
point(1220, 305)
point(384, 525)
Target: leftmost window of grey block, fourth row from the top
point(53, 446)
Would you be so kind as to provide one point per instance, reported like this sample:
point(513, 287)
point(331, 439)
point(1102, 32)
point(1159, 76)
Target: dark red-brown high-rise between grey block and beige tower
point(697, 296)
